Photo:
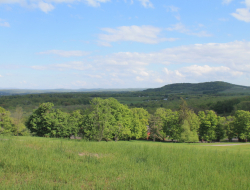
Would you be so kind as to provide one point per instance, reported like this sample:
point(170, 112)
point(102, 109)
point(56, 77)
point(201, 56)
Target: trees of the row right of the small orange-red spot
point(185, 126)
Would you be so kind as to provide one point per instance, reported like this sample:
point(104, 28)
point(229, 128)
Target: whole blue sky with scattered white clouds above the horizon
point(72, 44)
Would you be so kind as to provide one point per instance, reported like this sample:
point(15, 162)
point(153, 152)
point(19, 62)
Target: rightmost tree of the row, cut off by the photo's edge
point(242, 124)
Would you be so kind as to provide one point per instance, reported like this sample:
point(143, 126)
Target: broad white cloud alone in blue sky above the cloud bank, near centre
point(143, 34)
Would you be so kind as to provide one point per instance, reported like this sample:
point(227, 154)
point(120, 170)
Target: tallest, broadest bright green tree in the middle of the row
point(109, 119)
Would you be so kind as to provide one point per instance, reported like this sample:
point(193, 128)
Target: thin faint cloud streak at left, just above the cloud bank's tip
point(66, 53)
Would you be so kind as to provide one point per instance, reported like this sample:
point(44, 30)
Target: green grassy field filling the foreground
point(44, 163)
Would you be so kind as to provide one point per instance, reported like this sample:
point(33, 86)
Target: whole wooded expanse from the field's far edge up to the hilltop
point(187, 113)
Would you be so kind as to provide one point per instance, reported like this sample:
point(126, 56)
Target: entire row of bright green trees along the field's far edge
point(107, 119)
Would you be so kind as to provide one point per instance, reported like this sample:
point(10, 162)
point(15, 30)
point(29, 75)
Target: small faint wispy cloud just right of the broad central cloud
point(179, 27)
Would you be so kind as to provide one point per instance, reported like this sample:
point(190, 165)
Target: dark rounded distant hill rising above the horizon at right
point(200, 88)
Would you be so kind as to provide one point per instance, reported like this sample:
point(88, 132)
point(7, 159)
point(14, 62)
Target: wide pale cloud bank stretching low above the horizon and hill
point(193, 63)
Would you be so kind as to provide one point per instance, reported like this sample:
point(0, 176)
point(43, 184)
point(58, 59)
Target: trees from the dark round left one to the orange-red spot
point(107, 119)
